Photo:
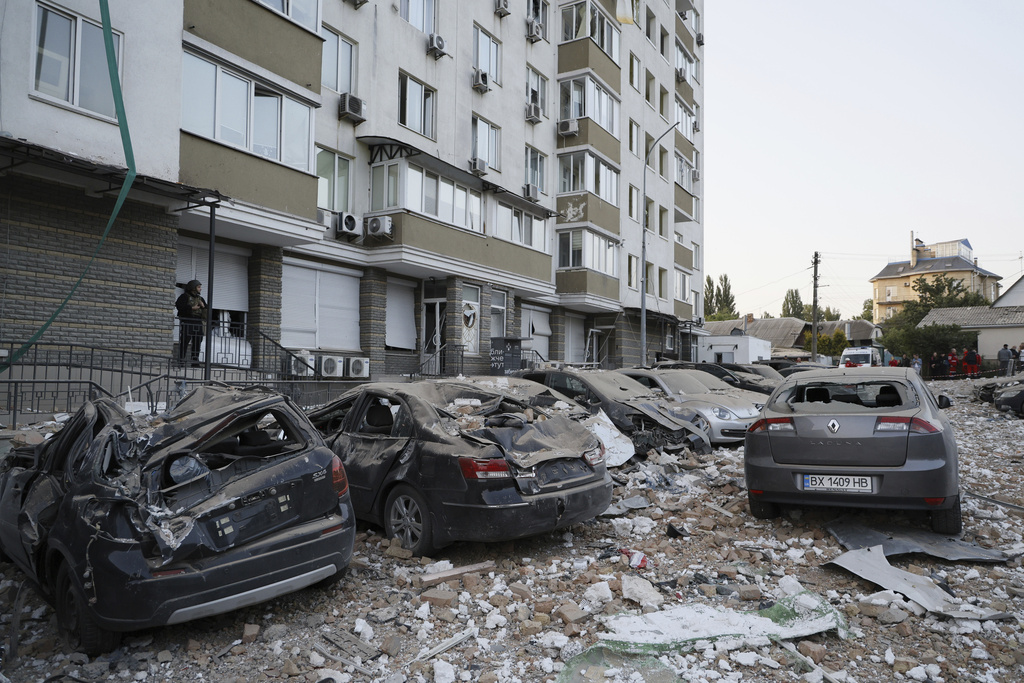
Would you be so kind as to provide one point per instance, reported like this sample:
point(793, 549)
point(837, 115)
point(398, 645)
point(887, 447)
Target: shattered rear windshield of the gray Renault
point(868, 396)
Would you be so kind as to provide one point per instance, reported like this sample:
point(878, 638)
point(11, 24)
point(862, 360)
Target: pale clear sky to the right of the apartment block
point(844, 127)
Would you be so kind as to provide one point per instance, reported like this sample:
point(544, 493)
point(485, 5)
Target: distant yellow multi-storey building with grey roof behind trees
point(893, 286)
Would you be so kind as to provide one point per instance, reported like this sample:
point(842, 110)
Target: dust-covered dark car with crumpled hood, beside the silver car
point(650, 421)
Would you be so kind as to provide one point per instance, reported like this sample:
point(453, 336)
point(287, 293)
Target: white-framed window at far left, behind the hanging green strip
point(71, 61)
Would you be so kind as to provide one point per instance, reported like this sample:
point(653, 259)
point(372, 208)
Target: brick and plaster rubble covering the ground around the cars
point(678, 554)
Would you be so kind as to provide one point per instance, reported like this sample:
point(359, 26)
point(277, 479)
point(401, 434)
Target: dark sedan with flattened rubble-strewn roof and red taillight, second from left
point(436, 462)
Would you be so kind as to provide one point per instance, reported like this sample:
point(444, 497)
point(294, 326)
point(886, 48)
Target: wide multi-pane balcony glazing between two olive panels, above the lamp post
point(228, 108)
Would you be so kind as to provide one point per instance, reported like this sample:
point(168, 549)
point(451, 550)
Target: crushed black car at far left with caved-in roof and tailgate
point(124, 523)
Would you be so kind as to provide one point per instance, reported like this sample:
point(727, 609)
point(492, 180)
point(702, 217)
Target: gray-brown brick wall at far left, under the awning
point(50, 233)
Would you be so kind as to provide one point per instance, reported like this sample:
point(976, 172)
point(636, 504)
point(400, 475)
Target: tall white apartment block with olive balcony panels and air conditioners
point(404, 182)
